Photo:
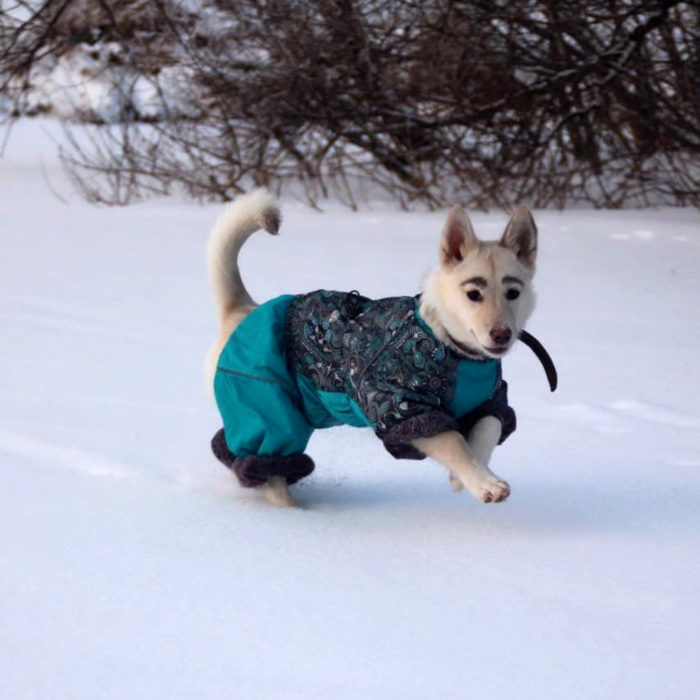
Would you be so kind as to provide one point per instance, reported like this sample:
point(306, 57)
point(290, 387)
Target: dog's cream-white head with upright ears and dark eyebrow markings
point(482, 292)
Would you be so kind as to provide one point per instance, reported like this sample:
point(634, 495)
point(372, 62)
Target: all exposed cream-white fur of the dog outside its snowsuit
point(445, 306)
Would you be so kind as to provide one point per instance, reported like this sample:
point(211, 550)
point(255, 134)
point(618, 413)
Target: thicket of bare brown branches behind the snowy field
point(484, 102)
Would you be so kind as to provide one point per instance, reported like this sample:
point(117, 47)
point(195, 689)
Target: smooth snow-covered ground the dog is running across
point(132, 567)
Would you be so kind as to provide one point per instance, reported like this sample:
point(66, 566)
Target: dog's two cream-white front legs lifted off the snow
point(468, 462)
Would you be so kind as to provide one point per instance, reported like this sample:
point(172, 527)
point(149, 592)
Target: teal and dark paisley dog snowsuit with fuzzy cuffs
point(316, 360)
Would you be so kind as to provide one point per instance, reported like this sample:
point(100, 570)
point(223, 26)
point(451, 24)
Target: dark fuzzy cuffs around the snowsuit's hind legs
point(255, 471)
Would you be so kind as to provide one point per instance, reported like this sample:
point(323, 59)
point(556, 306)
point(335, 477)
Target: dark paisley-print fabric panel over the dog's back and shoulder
point(375, 351)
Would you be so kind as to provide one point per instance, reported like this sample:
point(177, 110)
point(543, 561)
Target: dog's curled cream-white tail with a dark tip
point(239, 219)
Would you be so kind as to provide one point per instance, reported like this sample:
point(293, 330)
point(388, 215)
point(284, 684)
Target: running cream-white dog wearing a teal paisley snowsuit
point(399, 365)
